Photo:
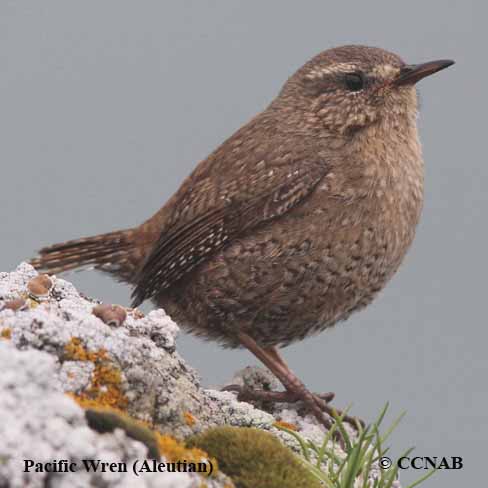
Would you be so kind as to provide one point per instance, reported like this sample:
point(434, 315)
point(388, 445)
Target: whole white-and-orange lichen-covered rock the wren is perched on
point(60, 361)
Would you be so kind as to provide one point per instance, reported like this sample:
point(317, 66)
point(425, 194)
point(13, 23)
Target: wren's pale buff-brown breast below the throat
point(370, 201)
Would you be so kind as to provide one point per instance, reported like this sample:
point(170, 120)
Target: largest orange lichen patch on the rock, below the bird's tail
point(105, 387)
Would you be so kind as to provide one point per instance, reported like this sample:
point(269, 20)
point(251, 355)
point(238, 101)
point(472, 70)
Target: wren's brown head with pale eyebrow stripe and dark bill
point(348, 88)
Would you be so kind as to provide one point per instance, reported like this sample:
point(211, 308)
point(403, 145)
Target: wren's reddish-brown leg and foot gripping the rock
point(295, 389)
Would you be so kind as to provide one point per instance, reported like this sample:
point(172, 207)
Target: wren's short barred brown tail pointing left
point(112, 252)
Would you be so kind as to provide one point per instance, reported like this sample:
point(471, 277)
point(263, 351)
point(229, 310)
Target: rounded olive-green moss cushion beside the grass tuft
point(252, 458)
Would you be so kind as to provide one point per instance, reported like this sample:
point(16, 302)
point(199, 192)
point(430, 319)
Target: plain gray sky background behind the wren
point(105, 106)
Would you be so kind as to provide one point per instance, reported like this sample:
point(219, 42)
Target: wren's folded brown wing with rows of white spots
point(204, 221)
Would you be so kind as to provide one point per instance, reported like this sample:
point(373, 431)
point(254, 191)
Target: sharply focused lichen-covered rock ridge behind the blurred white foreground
point(133, 367)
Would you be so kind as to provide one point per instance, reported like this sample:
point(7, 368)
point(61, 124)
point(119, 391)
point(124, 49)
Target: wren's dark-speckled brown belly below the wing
point(286, 282)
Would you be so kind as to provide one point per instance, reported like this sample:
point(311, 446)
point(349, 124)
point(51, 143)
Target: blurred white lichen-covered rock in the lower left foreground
point(42, 424)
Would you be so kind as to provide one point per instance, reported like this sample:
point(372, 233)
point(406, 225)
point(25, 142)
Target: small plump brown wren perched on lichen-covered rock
point(293, 223)
